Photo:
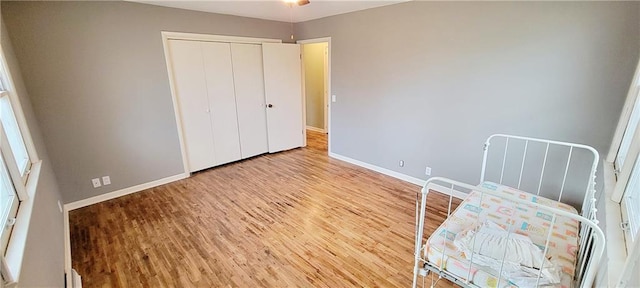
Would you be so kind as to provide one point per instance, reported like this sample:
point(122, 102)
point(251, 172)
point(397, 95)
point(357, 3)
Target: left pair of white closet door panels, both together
point(203, 78)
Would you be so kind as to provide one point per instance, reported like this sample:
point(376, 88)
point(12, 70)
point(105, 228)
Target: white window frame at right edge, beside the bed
point(615, 186)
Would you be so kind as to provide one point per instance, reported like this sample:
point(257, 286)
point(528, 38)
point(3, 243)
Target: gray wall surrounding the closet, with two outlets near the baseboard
point(99, 86)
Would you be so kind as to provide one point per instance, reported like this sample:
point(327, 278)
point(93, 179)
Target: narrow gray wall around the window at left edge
point(43, 262)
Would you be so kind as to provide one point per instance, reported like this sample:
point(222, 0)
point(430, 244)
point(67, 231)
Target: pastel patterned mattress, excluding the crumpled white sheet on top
point(522, 219)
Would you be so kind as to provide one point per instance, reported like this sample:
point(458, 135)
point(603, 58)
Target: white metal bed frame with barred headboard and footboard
point(591, 237)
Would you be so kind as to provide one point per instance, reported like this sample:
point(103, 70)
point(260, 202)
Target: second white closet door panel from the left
point(222, 101)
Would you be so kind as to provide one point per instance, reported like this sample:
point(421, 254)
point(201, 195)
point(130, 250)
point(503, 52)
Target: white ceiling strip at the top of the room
point(275, 9)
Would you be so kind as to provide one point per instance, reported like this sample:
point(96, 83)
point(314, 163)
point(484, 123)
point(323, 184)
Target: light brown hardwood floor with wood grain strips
point(292, 219)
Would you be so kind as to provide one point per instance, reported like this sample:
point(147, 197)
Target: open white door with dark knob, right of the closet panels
point(283, 94)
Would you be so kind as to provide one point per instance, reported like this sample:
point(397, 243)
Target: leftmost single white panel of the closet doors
point(191, 90)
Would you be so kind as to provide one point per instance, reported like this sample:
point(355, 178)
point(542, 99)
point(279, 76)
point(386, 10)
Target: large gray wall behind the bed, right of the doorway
point(427, 82)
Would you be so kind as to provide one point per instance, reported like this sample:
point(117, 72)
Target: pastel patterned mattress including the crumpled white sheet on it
point(528, 232)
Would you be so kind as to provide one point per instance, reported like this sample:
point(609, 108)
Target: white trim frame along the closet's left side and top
point(168, 35)
